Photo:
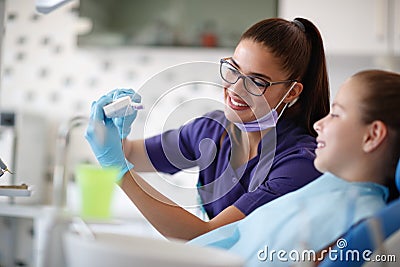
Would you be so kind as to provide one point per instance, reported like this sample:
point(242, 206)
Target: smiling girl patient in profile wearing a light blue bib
point(358, 149)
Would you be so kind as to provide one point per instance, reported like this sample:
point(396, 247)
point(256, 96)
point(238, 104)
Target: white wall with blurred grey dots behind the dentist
point(45, 73)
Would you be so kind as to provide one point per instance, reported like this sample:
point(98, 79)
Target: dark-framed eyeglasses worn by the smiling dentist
point(254, 85)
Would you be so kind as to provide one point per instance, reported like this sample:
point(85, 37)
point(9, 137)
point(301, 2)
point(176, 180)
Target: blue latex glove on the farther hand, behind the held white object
point(124, 123)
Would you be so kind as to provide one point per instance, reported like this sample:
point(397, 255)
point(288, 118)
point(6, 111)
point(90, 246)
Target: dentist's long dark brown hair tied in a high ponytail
point(298, 44)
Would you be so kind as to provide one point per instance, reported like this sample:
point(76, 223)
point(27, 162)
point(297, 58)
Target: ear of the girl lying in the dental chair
point(375, 135)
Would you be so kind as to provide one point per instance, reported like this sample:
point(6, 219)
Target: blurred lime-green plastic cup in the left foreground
point(96, 186)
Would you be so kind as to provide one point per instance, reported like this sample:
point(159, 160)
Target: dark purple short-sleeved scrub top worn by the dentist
point(281, 170)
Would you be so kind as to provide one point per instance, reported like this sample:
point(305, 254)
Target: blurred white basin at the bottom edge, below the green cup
point(111, 249)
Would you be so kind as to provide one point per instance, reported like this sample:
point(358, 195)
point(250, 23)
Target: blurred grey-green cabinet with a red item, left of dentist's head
point(188, 23)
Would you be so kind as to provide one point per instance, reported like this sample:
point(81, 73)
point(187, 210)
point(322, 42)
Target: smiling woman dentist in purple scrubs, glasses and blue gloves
point(275, 89)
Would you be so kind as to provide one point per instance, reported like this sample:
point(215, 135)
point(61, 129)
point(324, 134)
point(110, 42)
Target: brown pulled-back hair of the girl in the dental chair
point(381, 101)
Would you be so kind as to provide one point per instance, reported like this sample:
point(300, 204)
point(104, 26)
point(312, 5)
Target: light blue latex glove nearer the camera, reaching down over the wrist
point(104, 138)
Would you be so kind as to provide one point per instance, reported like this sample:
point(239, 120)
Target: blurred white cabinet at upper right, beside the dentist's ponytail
point(358, 27)
